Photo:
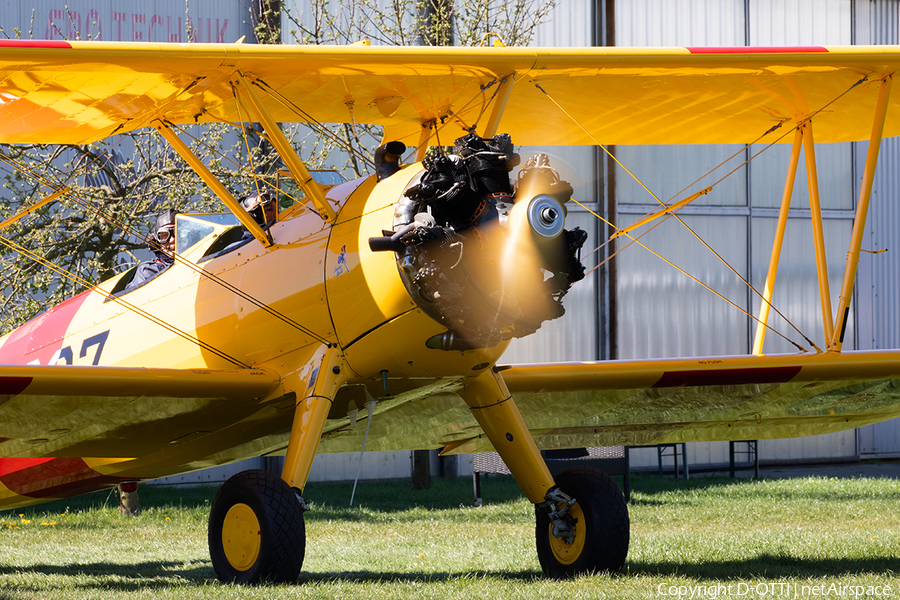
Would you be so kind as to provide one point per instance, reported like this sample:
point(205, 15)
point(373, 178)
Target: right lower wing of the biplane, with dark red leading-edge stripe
point(570, 405)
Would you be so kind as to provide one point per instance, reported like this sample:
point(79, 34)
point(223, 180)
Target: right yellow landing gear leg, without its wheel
point(493, 407)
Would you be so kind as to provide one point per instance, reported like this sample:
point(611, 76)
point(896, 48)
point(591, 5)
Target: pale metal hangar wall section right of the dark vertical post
point(664, 313)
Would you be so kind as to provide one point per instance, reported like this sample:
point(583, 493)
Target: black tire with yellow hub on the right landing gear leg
point(602, 532)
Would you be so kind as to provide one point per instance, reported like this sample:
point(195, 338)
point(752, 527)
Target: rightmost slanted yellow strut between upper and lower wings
point(862, 211)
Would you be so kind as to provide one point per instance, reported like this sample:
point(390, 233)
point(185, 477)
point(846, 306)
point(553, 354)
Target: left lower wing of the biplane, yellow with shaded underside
point(66, 430)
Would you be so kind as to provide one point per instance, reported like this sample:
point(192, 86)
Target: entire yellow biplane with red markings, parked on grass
point(400, 291)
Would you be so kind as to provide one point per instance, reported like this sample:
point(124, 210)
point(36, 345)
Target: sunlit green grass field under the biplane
point(400, 543)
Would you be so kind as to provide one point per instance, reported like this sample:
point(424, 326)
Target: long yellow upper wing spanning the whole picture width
point(77, 92)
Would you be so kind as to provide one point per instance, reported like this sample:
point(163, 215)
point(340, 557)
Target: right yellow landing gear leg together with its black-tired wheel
point(581, 519)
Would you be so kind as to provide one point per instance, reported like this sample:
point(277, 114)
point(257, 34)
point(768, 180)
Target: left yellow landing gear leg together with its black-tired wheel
point(256, 527)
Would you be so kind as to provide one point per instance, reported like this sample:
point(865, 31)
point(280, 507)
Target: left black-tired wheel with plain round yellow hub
point(276, 552)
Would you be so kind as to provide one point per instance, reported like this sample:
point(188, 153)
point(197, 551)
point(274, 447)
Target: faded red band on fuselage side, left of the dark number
point(42, 336)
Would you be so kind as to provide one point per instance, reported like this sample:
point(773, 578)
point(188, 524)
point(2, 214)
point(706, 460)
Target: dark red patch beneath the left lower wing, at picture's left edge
point(51, 477)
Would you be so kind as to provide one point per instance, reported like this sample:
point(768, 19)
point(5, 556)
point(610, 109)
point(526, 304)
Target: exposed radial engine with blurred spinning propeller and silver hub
point(488, 258)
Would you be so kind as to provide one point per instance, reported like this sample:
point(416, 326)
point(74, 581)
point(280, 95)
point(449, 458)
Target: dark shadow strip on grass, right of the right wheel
point(768, 566)
